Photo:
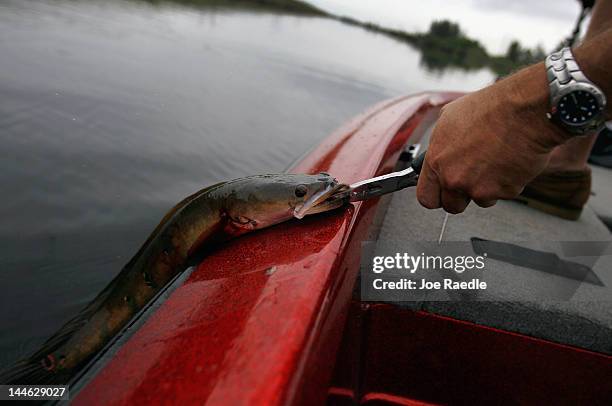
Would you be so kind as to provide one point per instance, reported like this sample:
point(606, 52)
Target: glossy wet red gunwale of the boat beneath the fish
point(260, 320)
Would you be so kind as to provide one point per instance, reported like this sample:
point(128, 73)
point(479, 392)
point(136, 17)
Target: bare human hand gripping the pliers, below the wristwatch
point(489, 144)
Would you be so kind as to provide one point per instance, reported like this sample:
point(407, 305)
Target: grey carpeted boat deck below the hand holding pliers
point(519, 299)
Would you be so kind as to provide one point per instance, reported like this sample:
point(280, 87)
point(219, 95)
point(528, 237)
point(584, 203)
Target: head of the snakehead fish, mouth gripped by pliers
point(265, 200)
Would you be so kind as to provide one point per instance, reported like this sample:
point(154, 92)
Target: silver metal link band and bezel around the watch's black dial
point(564, 74)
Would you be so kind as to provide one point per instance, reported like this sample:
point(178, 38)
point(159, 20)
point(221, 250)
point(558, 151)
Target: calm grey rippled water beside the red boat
point(112, 111)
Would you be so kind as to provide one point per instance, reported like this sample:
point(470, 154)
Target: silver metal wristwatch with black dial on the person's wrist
point(576, 104)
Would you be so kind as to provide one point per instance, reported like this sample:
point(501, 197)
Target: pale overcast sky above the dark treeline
point(494, 22)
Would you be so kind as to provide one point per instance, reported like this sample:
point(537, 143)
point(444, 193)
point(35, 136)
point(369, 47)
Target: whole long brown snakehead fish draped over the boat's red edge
point(212, 215)
